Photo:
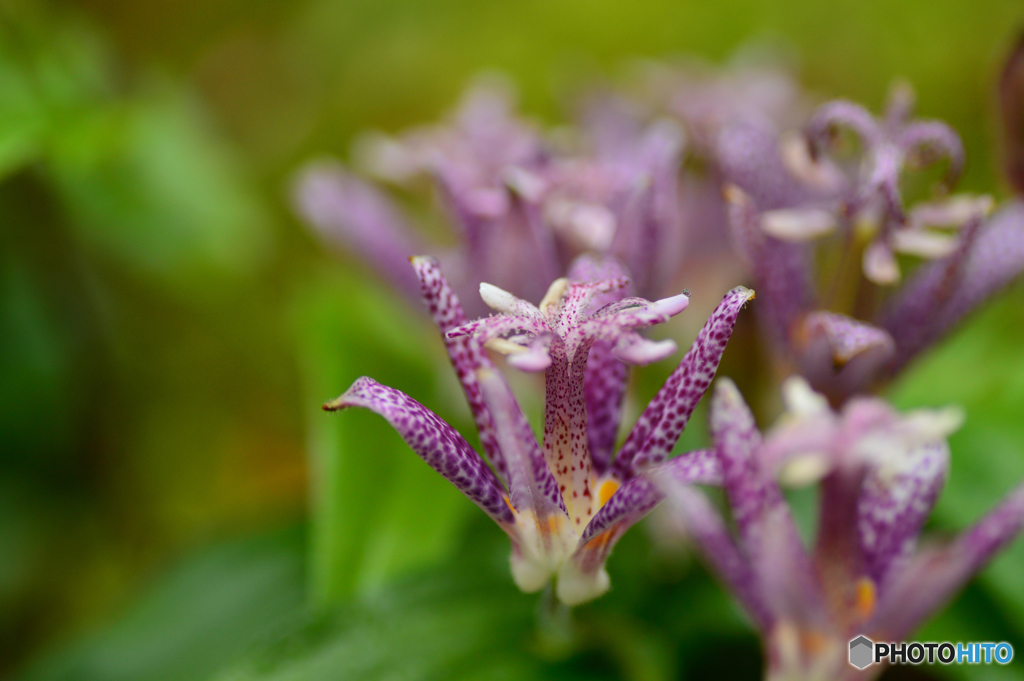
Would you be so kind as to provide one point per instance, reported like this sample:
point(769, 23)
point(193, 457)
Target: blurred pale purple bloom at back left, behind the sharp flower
point(521, 208)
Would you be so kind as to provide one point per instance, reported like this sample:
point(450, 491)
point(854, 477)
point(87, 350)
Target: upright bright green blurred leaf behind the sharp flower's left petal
point(377, 509)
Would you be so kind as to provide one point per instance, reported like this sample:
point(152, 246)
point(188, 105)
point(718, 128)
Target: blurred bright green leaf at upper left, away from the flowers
point(148, 184)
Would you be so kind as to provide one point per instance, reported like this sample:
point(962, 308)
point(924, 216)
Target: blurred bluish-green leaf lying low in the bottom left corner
point(208, 611)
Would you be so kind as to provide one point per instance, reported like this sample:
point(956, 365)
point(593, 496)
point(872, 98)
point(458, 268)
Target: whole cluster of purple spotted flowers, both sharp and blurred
point(720, 174)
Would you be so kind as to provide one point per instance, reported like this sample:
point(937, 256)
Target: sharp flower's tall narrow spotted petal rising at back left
point(465, 353)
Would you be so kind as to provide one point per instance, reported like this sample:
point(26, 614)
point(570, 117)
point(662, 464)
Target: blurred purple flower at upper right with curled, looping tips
point(867, 333)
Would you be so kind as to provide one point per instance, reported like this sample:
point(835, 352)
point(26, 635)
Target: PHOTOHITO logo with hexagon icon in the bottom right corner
point(865, 652)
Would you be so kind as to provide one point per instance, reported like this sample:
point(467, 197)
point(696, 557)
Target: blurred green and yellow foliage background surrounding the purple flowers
point(168, 333)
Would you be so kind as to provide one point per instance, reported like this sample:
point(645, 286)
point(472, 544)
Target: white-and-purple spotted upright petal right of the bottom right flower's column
point(894, 505)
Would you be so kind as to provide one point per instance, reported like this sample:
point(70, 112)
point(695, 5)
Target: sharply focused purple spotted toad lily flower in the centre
point(563, 507)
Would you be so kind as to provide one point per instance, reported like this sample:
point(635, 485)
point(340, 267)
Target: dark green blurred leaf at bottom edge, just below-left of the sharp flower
point(450, 623)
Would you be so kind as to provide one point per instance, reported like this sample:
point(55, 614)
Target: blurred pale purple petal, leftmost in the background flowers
point(354, 217)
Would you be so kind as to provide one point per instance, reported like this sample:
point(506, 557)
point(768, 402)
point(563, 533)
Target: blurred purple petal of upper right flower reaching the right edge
point(931, 305)
